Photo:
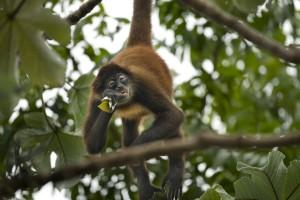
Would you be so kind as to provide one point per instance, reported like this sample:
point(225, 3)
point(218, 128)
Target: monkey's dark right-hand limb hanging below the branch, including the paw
point(172, 184)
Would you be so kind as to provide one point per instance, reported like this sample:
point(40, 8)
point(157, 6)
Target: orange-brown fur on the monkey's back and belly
point(144, 63)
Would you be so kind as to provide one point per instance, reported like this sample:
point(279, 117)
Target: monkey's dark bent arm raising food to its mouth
point(95, 129)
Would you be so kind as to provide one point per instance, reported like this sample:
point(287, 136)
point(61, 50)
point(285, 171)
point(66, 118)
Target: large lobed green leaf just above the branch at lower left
point(37, 146)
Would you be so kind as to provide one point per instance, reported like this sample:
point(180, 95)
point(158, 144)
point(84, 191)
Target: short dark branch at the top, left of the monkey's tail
point(83, 10)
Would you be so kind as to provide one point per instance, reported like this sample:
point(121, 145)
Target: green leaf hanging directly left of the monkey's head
point(78, 98)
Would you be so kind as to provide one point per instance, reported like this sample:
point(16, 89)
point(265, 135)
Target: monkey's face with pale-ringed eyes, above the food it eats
point(119, 88)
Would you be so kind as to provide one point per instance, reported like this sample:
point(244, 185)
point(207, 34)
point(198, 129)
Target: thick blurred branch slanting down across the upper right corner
point(221, 17)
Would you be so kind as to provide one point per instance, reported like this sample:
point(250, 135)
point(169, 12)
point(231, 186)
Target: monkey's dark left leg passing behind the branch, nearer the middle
point(146, 190)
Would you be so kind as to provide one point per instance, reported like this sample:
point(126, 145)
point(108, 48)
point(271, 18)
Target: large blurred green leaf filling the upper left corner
point(26, 29)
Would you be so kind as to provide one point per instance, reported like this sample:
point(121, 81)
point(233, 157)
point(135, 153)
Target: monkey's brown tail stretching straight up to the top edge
point(140, 30)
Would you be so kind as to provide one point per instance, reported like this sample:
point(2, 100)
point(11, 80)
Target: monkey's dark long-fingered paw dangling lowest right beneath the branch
point(172, 184)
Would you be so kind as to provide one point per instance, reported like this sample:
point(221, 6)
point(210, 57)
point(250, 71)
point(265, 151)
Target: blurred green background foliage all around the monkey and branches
point(236, 88)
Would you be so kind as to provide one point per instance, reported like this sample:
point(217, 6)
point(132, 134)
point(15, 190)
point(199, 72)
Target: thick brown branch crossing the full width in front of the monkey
point(133, 154)
